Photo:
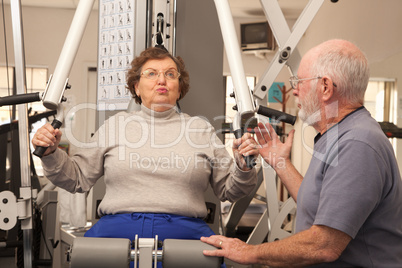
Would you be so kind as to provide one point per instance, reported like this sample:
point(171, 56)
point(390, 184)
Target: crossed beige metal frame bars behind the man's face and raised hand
point(288, 55)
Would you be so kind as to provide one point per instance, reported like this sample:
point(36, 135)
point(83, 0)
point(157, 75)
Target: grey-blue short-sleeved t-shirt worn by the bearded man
point(353, 185)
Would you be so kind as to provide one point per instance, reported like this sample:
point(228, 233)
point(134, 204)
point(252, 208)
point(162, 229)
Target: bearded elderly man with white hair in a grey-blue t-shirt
point(349, 203)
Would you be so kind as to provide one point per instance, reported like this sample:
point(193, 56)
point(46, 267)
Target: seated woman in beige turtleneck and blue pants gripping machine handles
point(156, 162)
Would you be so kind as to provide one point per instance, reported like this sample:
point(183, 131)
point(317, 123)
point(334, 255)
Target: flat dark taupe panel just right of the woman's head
point(200, 45)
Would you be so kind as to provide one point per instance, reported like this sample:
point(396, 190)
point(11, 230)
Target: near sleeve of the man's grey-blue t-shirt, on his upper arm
point(352, 187)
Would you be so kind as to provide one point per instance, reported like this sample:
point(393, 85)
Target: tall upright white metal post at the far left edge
point(19, 55)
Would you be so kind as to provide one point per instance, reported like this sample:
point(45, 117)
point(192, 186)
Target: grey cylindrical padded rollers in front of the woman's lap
point(118, 252)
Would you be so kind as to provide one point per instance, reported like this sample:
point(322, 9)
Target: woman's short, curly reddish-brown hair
point(154, 53)
